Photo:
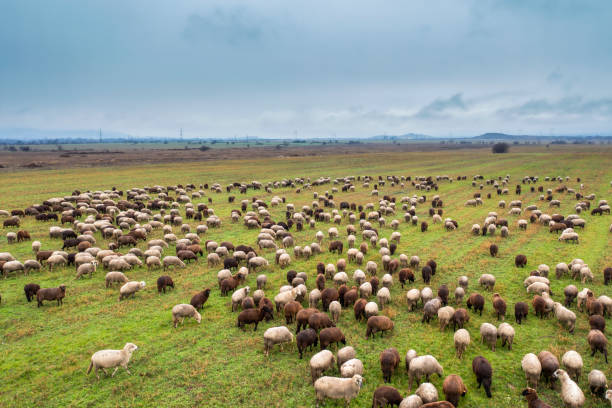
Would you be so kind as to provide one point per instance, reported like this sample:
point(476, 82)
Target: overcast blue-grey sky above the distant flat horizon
point(282, 68)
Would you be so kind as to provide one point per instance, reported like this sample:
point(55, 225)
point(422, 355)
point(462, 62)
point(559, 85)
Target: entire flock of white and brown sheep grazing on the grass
point(314, 300)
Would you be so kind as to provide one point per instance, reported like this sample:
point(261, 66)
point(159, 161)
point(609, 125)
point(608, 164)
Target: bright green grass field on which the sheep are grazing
point(44, 352)
